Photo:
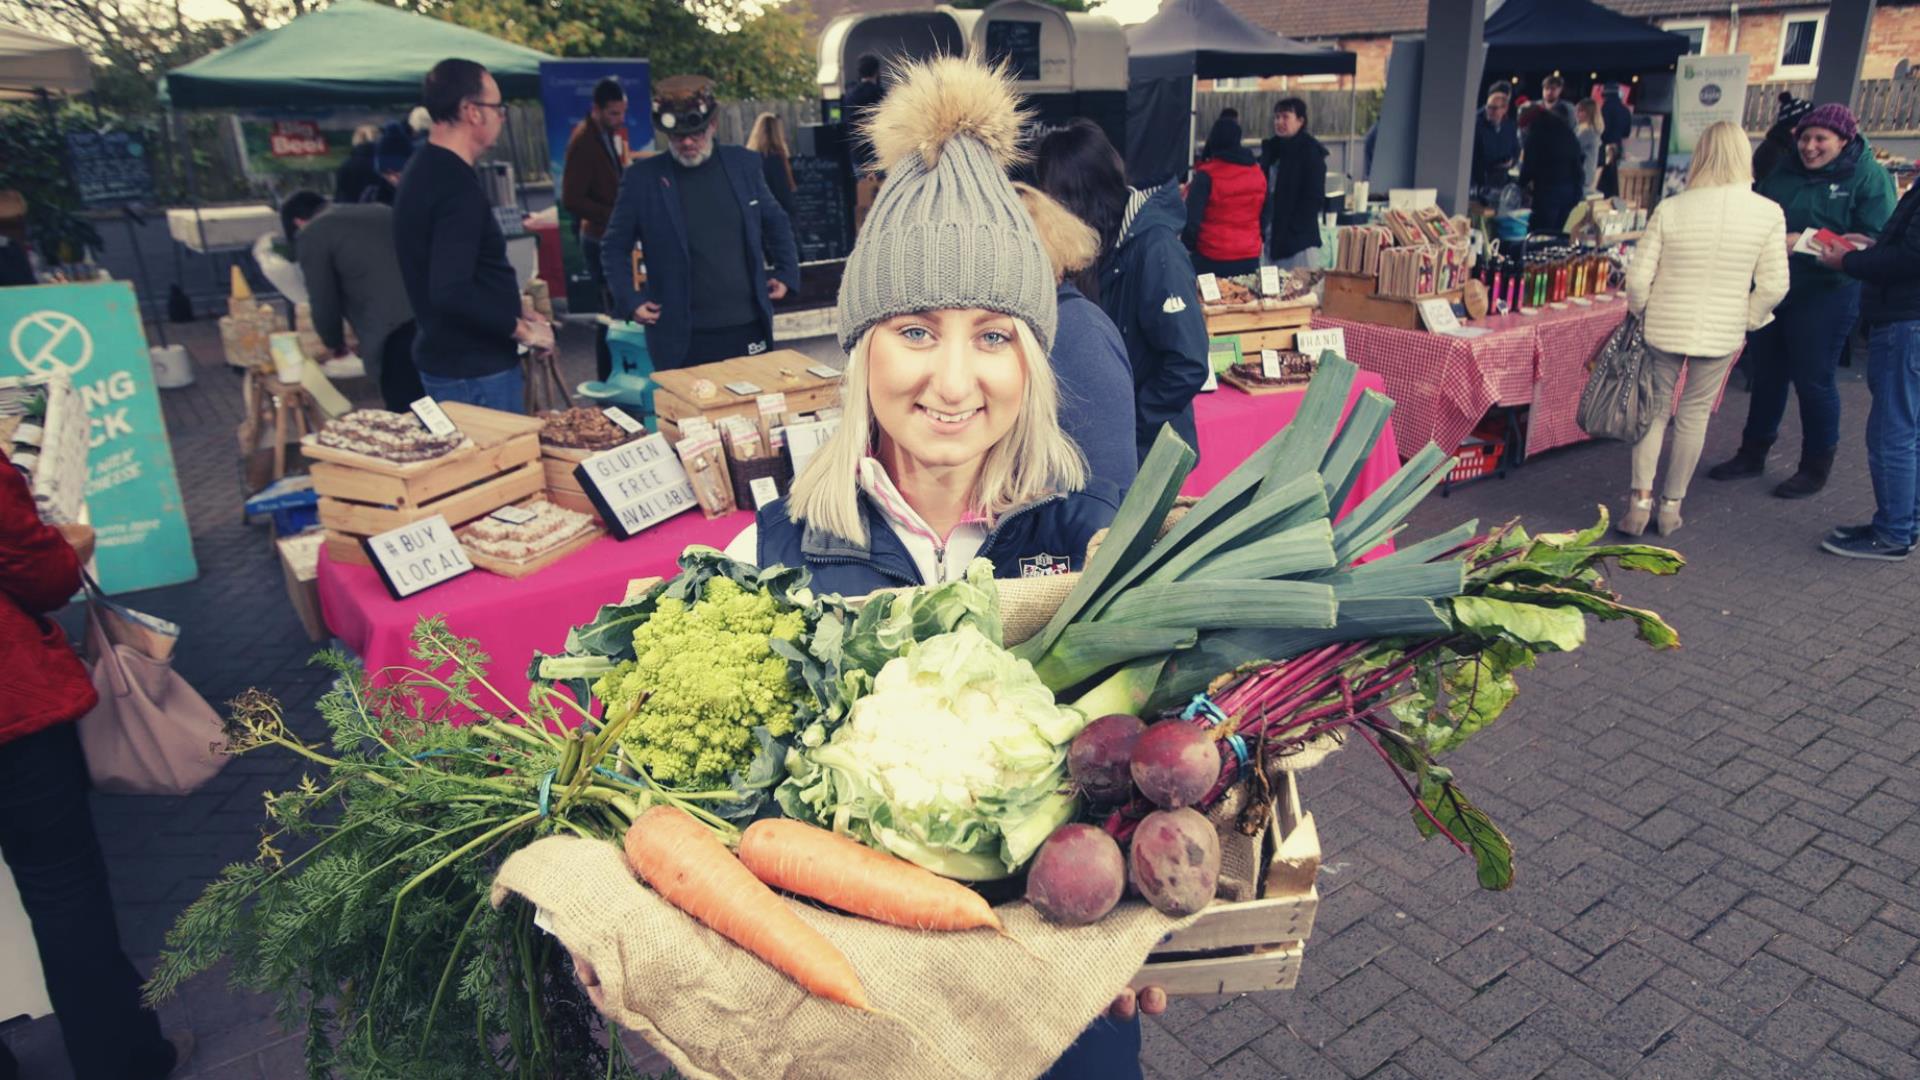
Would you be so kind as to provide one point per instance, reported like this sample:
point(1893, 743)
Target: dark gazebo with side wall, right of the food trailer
point(1189, 41)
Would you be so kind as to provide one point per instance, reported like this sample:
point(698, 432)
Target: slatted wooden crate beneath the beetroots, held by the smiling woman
point(1257, 945)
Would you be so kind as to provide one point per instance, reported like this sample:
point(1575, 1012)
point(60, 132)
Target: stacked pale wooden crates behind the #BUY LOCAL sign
point(364, 497)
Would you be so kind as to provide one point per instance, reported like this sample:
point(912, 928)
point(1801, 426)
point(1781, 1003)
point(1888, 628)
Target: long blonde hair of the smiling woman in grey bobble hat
point(1036, 458)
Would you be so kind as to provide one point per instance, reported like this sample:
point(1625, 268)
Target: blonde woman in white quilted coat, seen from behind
point(1712, 268)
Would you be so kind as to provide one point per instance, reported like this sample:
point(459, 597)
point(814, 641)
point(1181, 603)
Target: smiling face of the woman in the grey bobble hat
point(946, 387)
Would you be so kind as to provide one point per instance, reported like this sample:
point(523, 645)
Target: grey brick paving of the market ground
point(1717, 847)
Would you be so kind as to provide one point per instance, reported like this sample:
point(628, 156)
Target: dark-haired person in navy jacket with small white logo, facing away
point(1143, 280)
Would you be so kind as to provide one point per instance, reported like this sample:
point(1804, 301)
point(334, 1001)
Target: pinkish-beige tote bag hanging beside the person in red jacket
point(151, 735)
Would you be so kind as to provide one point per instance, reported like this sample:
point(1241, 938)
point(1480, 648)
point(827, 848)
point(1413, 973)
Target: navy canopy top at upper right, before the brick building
point(1552, 36)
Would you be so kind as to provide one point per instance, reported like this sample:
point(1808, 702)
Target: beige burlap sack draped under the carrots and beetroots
point(967, 1006)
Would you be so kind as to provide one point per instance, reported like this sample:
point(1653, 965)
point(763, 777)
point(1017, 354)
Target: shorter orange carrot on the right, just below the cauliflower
point(853, 877)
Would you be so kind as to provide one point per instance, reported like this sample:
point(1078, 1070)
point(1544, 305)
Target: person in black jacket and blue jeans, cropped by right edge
point(1890, 312)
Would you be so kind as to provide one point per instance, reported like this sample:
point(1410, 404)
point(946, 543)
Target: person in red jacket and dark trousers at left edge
point(47, 829)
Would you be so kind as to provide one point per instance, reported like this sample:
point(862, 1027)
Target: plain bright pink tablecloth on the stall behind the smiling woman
point(516, 618)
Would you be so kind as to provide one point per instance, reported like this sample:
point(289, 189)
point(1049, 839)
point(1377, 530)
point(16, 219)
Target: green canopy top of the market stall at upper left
point(352, 53)
